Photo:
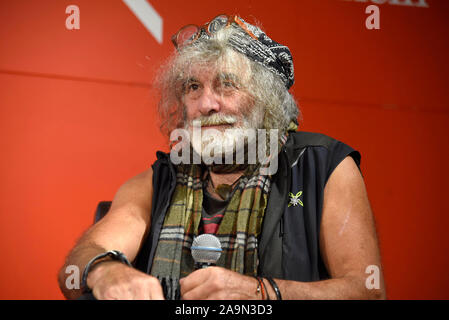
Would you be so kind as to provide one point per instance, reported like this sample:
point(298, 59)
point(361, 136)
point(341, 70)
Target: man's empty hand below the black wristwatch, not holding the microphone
point(114, 280)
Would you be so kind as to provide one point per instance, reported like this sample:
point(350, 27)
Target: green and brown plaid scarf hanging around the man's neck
point(238, 231)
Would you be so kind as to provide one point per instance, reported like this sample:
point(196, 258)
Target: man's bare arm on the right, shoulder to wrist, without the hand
point(348, 242)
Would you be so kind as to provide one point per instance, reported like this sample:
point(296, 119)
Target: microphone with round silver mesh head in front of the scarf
point(206, 250)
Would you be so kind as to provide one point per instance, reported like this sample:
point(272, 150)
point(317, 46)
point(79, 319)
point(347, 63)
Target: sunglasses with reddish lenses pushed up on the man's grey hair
point(190, 33)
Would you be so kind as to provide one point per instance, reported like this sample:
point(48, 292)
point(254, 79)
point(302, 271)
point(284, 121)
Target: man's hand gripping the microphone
point(215, 283)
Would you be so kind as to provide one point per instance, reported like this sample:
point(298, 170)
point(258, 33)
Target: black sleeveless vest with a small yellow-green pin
point(289, 241)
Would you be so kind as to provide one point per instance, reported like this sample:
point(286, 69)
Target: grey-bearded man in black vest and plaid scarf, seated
point(293, 222)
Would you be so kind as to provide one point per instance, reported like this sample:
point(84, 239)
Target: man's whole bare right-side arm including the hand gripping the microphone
point(348, 245)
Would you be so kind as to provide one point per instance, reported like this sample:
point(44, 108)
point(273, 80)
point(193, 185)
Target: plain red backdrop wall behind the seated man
point(78, 118)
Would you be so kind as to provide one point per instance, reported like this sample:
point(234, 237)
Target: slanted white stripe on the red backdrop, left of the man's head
point(151, 20)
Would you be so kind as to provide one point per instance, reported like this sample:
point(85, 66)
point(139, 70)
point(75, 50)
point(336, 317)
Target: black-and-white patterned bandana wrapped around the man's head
point(272, 55)
